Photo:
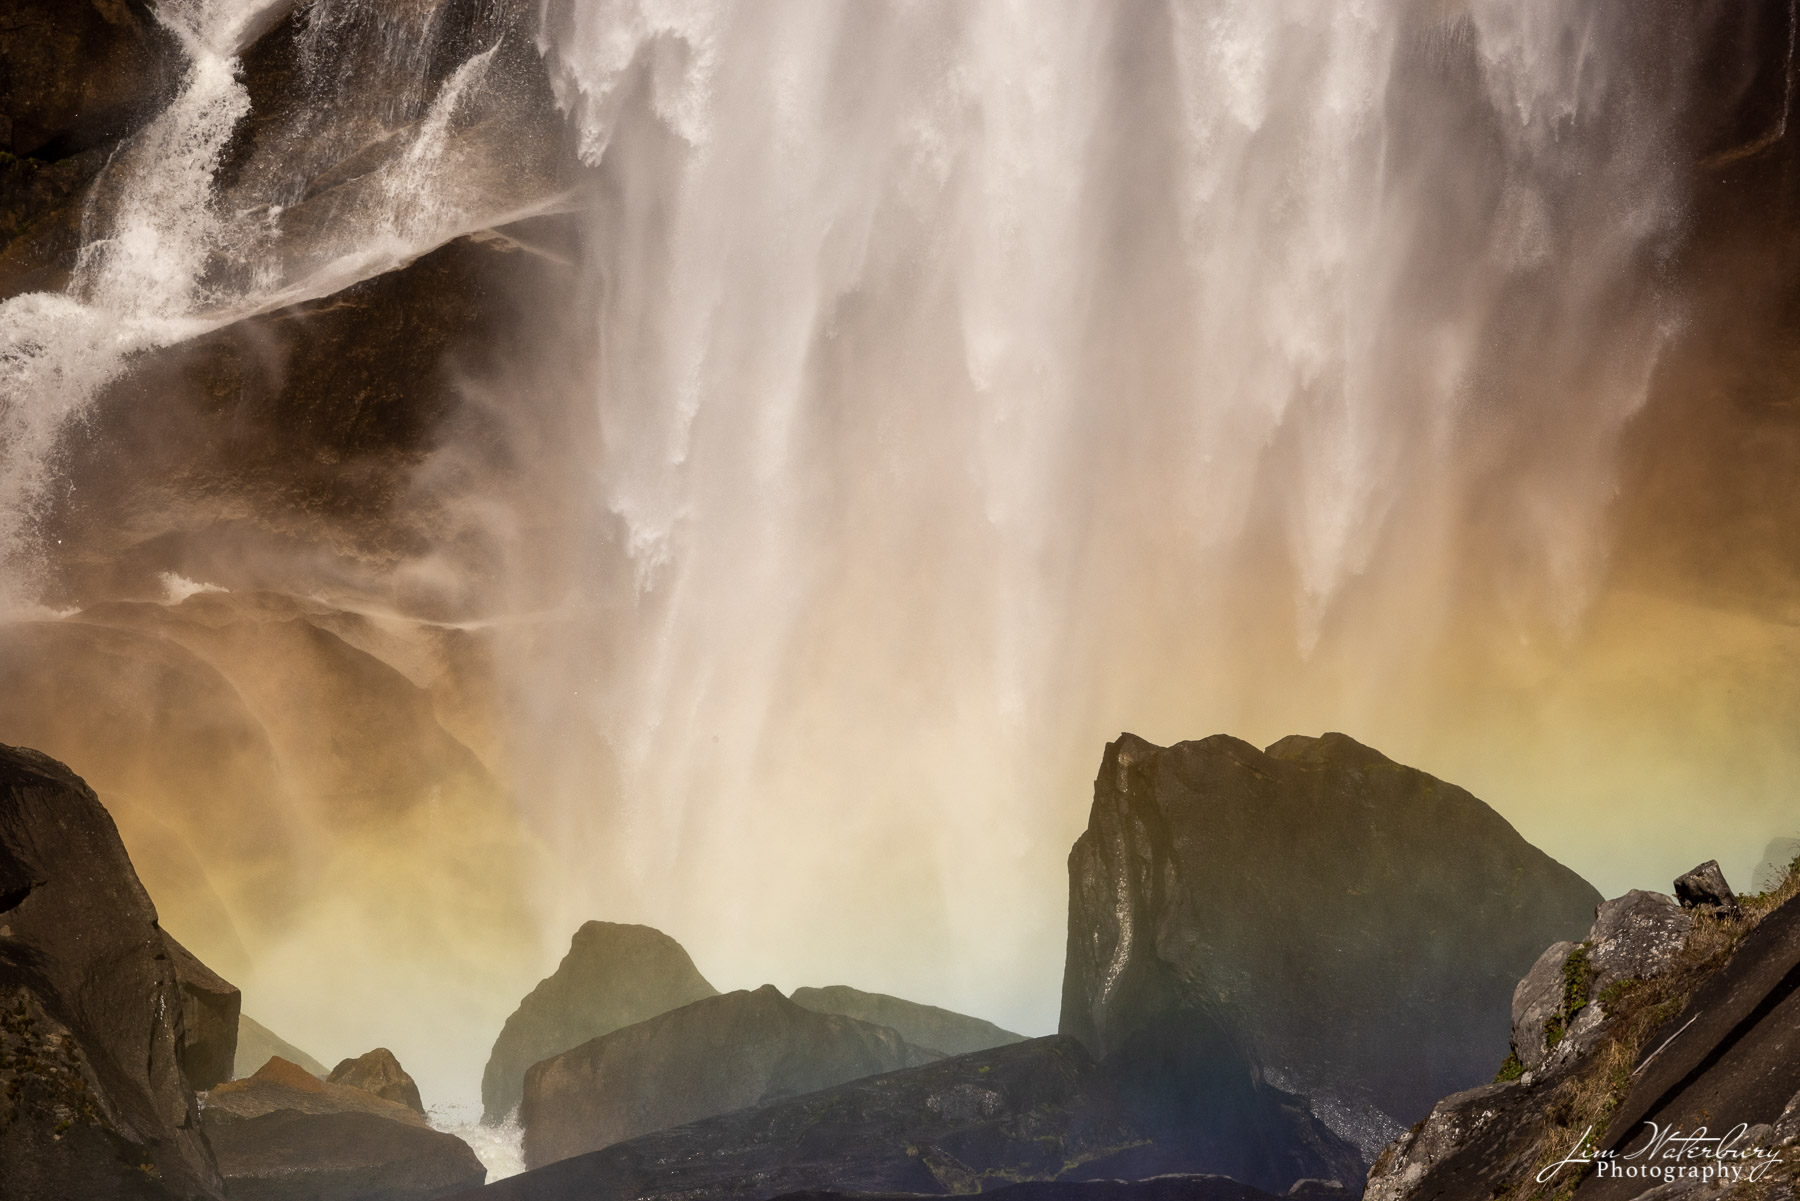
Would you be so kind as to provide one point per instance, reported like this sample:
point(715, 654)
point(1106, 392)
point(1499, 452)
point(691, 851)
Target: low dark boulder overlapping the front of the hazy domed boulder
point(703, 1060)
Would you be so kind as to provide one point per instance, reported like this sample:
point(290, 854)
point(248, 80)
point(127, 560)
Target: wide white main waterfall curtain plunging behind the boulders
point(975, 381)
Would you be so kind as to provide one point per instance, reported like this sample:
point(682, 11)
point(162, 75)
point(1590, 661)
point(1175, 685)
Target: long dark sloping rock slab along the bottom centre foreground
point(1039, 1110)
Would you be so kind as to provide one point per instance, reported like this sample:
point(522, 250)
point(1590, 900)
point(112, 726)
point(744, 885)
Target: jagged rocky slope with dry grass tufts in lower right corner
point(1709, 1038)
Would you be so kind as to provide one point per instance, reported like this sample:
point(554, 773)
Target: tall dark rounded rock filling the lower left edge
point(93, 1097)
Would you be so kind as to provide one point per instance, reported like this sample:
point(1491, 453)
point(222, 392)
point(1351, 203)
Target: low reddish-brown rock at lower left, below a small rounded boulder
point(283, 1135)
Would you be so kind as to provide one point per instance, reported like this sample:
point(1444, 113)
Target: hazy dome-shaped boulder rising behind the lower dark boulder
point(611, 979)
